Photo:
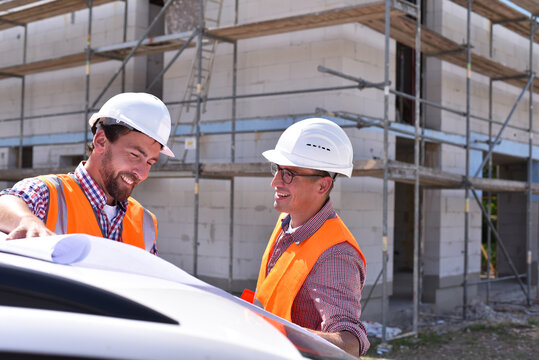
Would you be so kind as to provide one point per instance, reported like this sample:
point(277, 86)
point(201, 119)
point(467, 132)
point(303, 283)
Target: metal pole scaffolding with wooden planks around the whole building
point(398, 20)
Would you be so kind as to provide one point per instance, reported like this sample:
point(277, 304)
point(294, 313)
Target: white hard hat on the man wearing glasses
point(314, 143)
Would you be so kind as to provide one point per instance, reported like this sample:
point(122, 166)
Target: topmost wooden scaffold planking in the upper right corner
point(499, 12)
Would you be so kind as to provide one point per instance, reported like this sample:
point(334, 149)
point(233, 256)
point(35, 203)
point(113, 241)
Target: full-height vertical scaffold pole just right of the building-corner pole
point(417, 104)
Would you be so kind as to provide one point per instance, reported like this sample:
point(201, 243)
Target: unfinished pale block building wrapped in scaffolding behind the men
point(436, 96)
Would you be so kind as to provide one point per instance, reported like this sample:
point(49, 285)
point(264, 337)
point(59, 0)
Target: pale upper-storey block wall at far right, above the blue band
point(508, 48)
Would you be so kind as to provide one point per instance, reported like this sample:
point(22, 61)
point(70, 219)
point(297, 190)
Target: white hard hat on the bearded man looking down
point(140, 111)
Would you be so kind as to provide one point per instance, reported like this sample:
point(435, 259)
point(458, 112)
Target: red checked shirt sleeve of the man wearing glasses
point(334, 286)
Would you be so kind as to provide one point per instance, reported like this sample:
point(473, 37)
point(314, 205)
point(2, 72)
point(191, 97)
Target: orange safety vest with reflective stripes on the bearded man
point(70, 212)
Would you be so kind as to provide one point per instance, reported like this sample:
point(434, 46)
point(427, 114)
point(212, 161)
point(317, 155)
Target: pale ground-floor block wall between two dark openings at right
point(444, 242)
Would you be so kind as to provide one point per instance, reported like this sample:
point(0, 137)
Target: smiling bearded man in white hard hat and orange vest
point(130, 131)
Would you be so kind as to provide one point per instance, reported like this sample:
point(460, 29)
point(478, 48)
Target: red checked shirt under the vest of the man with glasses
point(329, 299)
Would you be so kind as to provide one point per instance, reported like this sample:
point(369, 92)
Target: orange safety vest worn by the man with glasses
point(277, 291)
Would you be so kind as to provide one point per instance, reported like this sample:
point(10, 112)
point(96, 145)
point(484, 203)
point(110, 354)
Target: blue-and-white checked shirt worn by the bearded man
point(35, 193)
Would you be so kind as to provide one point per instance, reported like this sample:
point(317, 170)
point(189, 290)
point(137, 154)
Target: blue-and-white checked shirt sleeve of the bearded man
point(34, 192)
